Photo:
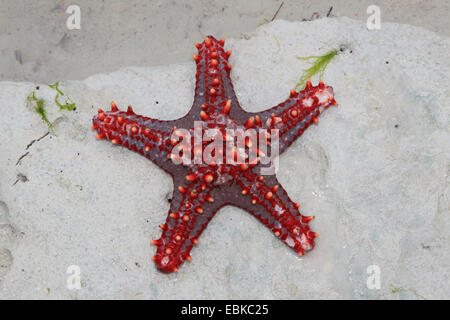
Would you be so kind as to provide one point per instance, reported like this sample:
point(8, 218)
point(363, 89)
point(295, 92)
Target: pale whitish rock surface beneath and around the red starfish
point(374, 173)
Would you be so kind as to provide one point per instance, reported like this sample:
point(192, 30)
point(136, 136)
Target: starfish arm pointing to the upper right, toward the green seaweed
point(293, 116)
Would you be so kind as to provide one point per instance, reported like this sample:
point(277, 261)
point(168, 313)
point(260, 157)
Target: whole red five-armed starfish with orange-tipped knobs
point(201, 189)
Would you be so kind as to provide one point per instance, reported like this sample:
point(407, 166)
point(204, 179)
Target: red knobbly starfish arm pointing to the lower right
point(267, 200)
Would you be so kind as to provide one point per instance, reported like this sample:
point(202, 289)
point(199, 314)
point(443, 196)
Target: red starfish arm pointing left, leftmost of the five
point(149, 137)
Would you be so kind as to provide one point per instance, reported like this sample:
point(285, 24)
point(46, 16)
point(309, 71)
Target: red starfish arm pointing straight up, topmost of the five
point(213, 85)
